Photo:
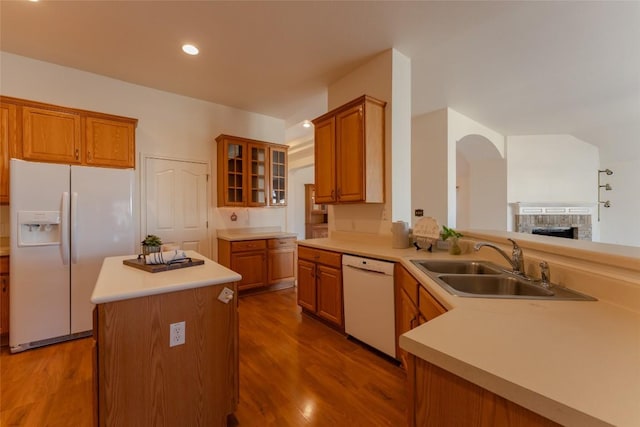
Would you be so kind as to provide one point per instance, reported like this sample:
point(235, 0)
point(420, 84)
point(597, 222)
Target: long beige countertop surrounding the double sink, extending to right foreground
point(574, 362)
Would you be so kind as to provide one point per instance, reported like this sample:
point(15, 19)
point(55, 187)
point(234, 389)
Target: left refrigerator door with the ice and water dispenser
point(40, 295)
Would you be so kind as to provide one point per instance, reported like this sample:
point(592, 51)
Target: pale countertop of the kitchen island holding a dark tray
point(117, 281)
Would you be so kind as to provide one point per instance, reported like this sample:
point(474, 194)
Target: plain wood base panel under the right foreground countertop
point(440, 398)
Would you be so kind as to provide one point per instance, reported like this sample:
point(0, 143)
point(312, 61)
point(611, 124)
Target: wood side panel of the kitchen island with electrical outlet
point(140, 380)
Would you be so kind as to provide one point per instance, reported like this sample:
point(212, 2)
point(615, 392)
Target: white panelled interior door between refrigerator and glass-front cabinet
point(177, 203)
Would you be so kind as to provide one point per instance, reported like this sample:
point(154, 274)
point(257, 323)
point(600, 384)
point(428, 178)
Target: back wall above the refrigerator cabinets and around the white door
point(168, 125)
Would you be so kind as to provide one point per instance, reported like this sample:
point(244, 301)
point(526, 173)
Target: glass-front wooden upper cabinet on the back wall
point(251, 172)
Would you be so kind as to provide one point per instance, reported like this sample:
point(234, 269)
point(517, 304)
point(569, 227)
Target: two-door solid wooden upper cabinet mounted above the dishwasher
point(349, 153)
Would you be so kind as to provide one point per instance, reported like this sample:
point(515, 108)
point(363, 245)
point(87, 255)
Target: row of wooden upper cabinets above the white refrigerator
point(50, 133)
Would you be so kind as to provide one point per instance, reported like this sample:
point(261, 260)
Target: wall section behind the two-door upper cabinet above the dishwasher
point(388, 78)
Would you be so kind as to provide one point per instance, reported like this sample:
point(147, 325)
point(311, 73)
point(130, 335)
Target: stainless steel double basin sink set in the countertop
point(482, 279)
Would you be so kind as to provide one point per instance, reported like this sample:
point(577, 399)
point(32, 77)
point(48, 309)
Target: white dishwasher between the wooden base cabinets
point(369, 312)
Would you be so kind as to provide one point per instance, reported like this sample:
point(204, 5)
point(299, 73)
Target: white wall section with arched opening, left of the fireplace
point(435, 138)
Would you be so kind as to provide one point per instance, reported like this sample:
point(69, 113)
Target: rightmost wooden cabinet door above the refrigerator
point(109, 143)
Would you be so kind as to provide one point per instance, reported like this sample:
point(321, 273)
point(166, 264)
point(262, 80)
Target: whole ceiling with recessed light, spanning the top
point(517, 67)
